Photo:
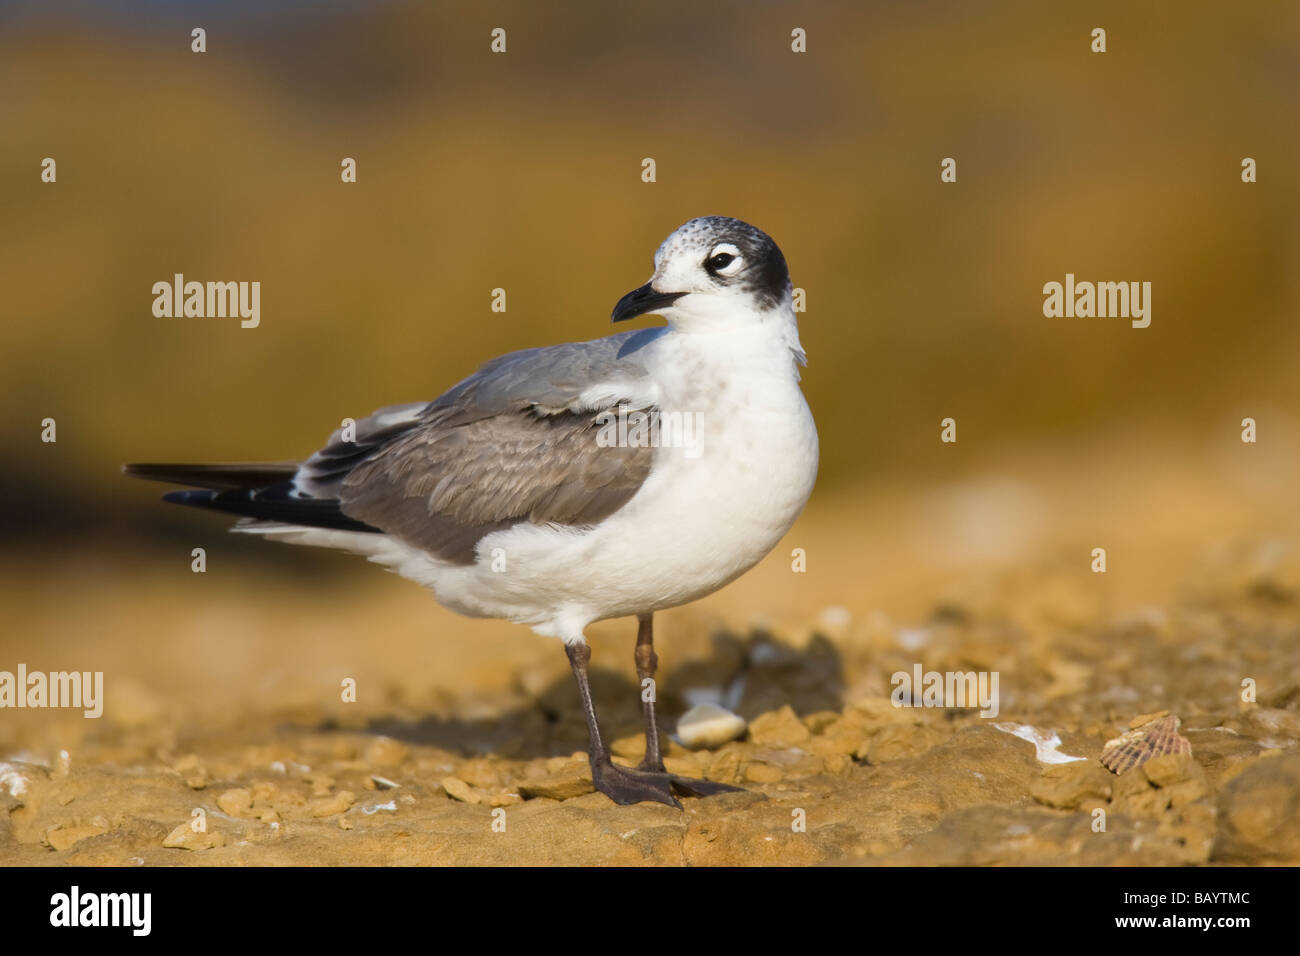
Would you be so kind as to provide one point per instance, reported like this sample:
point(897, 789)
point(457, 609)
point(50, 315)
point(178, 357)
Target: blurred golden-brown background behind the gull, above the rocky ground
point(523, 171)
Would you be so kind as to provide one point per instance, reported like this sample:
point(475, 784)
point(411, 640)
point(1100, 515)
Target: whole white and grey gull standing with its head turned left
point(577, 483)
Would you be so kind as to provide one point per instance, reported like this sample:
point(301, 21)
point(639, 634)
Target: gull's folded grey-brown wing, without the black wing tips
point(514, 443)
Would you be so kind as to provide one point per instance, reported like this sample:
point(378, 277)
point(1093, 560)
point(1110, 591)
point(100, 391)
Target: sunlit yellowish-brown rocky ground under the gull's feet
point(833, 772)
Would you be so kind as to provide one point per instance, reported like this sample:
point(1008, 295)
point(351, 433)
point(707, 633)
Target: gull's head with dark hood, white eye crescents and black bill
point(713, 272)
